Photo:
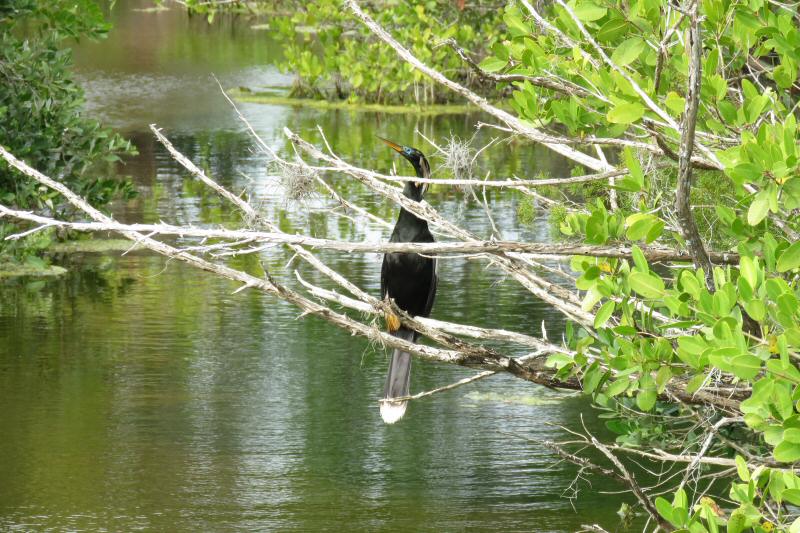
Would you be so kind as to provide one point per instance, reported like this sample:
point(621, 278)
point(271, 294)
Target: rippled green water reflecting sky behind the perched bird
point(139, 394)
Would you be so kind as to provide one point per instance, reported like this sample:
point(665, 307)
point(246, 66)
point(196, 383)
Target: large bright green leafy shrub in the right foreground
point(658, 329)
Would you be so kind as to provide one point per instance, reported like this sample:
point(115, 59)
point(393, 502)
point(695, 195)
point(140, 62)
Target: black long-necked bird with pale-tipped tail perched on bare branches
point(410, 279)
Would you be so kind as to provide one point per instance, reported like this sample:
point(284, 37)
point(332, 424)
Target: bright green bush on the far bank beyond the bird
point(332, 56)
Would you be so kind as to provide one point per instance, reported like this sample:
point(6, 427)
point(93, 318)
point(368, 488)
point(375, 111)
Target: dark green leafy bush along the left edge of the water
point(40, 107)
